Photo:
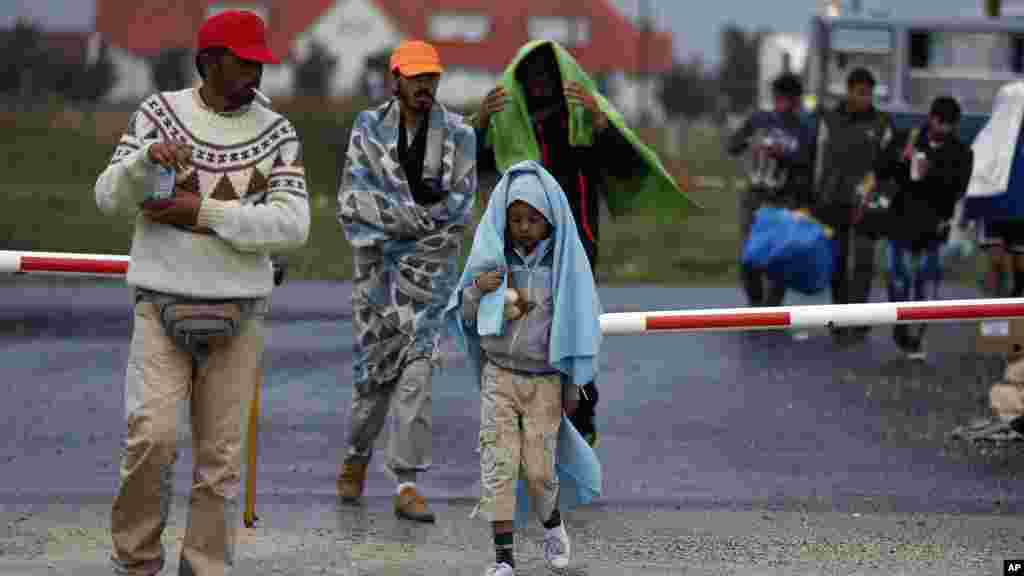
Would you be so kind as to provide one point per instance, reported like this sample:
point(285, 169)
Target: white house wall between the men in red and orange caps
point(351, 31)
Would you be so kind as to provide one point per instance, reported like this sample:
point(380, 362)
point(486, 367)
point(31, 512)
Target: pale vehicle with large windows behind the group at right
point(916, 61)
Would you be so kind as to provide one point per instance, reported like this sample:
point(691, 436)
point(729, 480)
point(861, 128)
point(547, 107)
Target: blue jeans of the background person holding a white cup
point(914, 275)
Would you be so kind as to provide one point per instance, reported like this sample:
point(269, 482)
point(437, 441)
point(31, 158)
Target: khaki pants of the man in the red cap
point(160, 378)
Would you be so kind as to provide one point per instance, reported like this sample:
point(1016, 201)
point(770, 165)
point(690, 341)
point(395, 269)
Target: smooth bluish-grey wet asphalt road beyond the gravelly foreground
point(732, 423)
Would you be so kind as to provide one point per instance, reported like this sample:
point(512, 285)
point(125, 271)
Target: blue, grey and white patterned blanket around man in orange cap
point(405, 254)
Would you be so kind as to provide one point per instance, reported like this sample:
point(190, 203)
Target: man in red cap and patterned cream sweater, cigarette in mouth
point(215, 183)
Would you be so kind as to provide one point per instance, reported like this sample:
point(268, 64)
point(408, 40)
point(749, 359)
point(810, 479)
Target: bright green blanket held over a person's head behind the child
point(651, 189)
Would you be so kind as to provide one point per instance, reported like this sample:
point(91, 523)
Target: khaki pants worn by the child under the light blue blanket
point(521, 416)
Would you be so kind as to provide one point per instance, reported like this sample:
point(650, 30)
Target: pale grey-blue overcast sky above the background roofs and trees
point(694, 23)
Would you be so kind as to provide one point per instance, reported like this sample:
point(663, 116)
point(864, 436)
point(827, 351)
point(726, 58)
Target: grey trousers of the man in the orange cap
point(410, 444)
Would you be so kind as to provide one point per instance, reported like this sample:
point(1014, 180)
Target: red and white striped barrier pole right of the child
point(823, 316)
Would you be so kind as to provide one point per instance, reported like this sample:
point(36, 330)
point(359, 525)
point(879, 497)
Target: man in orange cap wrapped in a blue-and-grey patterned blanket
point(406, 199)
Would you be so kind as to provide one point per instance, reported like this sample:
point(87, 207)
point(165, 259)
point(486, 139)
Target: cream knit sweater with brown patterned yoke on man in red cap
point(248, 169)
